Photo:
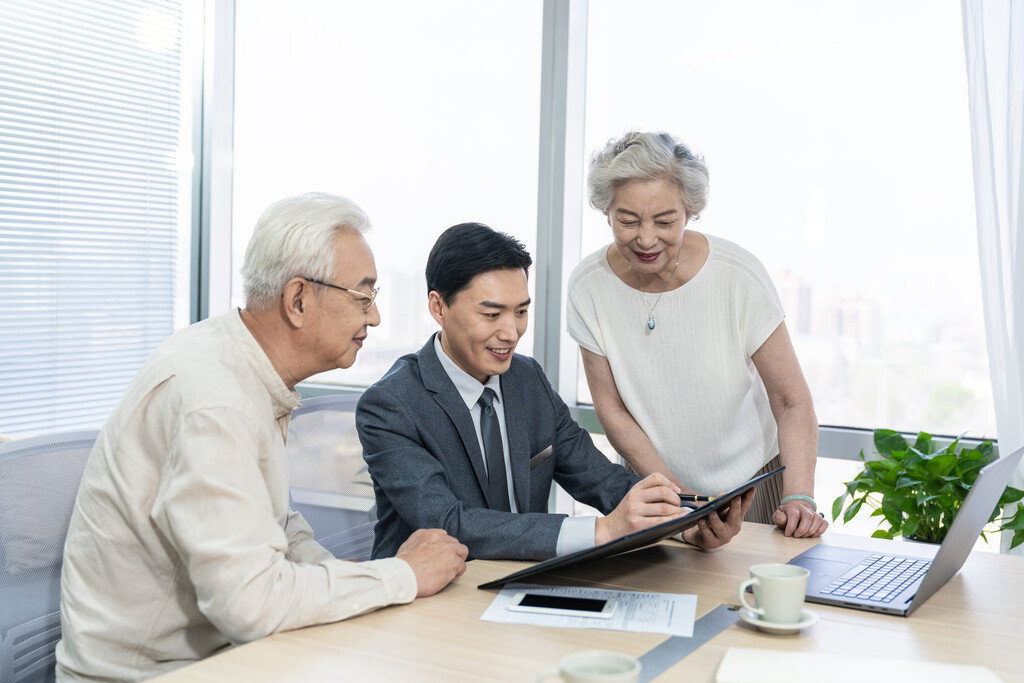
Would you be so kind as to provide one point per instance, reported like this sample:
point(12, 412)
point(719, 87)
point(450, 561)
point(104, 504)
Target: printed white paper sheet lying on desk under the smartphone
point(637, 612)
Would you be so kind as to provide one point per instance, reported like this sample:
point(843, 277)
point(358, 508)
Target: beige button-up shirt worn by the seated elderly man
point(182, 542)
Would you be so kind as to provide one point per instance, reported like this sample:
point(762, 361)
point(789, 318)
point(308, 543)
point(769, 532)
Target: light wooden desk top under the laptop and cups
point(977, 618)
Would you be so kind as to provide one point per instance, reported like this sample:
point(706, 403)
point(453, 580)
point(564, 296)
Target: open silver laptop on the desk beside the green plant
point(893, 584)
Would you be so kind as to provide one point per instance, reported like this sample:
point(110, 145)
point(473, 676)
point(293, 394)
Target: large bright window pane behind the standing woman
point(838, 141)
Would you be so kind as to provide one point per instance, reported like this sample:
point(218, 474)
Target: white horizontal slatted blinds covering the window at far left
point(91, 120)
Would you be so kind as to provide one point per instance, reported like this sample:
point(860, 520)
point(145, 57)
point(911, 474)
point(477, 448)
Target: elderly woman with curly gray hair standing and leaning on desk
point(685, 344)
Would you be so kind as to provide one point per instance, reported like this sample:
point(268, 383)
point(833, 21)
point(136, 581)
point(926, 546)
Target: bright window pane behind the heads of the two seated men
point(424, 114)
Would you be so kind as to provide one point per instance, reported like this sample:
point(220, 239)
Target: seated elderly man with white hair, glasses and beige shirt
point(182, 542)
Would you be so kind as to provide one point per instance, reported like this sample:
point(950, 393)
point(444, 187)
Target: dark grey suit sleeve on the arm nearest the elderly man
point(416, 481)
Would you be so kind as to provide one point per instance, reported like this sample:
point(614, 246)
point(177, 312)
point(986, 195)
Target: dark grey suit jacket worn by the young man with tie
point(420, 444)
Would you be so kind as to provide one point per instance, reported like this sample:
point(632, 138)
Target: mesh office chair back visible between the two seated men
point(330, 484)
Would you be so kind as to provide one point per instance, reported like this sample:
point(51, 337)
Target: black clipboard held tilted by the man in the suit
point(633, 541)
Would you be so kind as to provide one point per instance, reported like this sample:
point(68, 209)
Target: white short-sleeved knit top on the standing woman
point(690, 383)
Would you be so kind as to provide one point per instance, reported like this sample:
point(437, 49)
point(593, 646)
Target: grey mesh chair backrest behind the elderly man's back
point(39, 480)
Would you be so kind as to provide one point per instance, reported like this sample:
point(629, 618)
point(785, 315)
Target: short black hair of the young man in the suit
point(466, 250)
